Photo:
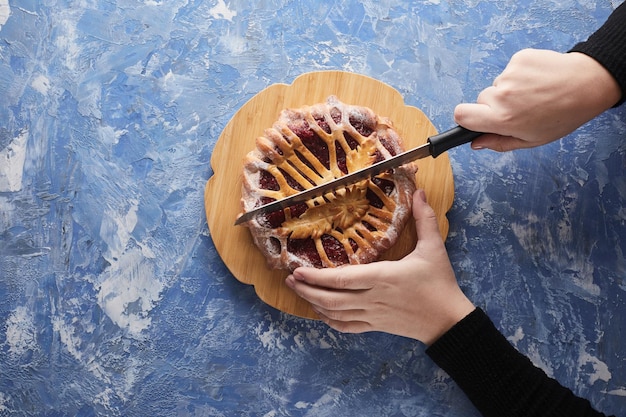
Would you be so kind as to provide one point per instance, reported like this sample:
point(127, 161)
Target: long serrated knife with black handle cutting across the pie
point(434, 146)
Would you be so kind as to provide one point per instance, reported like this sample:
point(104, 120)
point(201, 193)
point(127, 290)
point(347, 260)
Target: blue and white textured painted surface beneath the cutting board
point(113, 300)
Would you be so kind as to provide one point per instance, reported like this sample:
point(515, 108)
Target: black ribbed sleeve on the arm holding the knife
point(608, 46)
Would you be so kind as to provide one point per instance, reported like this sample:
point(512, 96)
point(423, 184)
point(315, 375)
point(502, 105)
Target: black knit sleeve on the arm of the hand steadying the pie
point(498, 379)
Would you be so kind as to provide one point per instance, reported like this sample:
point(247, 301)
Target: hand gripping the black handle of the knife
point(540, 97)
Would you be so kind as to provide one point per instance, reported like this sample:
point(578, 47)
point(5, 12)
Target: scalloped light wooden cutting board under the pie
point(223, 190)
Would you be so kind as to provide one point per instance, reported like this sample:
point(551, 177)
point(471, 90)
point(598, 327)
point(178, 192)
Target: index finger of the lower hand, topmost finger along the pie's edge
point(349, 277)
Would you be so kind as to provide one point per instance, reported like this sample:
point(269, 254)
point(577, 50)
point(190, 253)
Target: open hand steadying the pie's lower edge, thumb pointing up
point(417, 296)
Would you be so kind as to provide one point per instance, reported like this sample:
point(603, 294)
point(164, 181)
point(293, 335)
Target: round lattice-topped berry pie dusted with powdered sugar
point(316, 144)
